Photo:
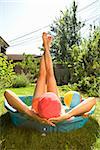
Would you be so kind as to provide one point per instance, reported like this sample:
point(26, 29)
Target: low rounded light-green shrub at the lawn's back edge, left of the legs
point(20, 81)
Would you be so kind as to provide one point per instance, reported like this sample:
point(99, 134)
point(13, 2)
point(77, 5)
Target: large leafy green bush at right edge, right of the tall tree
point(86, 68)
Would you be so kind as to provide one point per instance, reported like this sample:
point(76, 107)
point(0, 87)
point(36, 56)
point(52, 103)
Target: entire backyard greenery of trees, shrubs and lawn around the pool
point(81, 58)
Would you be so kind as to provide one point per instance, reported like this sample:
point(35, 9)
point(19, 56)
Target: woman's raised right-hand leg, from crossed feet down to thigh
point(51, 82)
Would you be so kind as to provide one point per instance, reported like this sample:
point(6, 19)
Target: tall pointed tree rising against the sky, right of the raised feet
point(66, 34)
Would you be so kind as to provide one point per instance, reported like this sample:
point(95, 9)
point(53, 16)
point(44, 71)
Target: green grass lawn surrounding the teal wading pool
point(12, 138)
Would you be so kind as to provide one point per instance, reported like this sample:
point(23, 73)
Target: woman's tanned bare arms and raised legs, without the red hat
point(46, 83)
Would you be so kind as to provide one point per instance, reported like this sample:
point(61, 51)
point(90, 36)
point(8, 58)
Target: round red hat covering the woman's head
point(49, 106)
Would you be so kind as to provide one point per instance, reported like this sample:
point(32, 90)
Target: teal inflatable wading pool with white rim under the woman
point(21, 120)
